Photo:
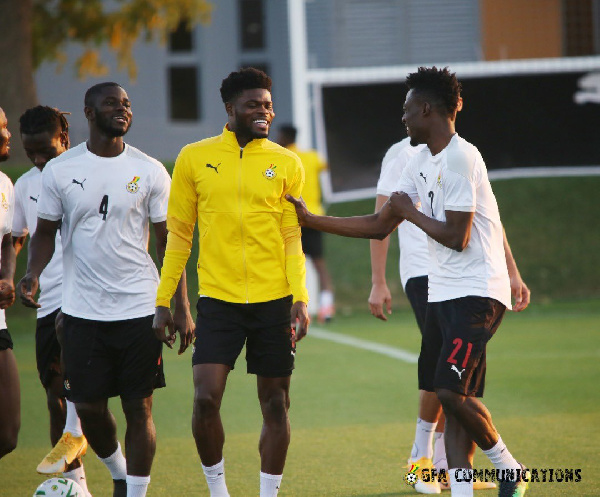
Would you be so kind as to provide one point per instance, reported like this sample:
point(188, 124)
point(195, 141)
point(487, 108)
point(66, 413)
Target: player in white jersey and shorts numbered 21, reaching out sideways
point(469, 285)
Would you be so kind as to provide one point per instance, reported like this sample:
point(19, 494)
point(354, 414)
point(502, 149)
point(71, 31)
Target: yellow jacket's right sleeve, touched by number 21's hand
point(295, 262)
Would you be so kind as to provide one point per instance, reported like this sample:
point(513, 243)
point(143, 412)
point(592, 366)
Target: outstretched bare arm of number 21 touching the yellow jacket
point(378, 225)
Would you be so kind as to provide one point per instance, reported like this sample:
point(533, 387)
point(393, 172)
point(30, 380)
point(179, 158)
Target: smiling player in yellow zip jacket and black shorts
point(251, 271)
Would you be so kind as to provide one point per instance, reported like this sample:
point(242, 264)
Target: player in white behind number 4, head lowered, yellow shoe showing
point(45, 135)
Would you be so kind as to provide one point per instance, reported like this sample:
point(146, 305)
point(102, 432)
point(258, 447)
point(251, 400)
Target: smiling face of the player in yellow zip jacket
point(251, 114)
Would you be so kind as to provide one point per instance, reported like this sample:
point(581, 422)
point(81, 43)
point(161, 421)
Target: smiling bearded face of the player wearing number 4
point(111, 113)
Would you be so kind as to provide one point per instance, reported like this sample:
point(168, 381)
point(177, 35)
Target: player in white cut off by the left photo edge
point(10, 396)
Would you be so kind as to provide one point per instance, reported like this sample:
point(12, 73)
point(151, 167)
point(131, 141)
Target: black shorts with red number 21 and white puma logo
point(454, 342)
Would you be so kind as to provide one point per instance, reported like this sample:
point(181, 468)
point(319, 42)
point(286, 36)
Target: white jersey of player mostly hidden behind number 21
point(414, 253)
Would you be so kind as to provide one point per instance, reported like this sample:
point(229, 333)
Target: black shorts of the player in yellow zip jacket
point(222, 329)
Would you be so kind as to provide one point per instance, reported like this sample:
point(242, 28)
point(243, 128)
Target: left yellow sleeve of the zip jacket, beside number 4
point(181, 219)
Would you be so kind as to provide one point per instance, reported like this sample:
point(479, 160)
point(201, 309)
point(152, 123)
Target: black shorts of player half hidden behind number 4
point(47, 348)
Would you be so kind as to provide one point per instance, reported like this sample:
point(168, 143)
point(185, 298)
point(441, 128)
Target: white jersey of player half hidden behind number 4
point(27, 192)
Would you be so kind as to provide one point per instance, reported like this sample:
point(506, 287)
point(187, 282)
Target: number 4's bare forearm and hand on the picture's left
point(41, 250)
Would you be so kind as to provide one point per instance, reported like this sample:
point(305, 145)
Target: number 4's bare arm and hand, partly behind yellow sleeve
point(182, 320)
